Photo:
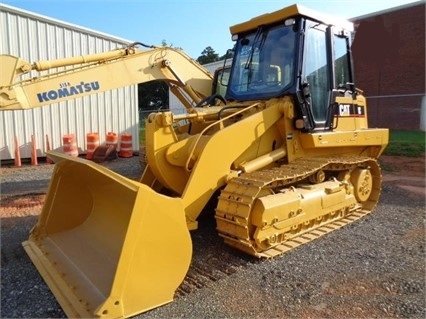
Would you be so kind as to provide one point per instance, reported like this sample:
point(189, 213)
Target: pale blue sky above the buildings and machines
point(191, 25)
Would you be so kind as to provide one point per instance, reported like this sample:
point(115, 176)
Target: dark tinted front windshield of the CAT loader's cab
point(264, 63)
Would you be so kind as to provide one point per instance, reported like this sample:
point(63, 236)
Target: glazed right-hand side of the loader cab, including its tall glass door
point(326, 72)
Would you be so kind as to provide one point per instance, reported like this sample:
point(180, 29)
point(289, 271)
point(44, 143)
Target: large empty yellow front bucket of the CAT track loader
point(108, 246)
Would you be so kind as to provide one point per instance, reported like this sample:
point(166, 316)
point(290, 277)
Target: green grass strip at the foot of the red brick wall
point(406, 143)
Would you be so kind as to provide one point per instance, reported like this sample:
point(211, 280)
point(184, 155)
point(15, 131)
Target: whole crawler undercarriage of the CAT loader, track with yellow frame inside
point(344, 188)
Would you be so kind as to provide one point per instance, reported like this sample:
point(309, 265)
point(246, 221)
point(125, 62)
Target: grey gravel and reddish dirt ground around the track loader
point(373, 268)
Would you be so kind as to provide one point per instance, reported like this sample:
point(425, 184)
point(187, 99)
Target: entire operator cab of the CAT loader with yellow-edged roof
point(292, 52)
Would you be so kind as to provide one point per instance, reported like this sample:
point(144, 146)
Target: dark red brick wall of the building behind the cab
point(389, 56)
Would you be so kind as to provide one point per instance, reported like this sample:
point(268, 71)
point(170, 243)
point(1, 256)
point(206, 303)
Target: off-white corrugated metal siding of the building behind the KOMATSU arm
point(33, 37)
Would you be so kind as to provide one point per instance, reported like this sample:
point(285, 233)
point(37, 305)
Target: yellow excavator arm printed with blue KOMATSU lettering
point(80, 76)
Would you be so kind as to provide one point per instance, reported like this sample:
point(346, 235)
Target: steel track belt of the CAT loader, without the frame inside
point(233, 213)
